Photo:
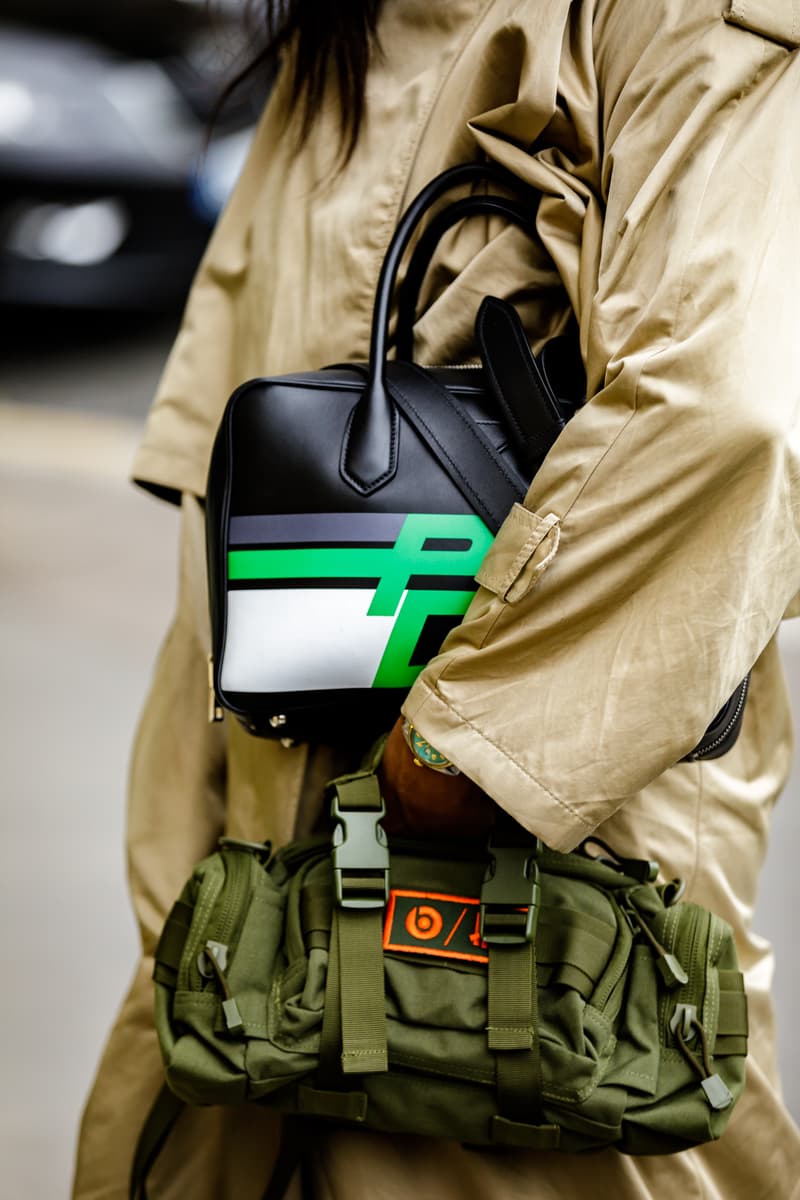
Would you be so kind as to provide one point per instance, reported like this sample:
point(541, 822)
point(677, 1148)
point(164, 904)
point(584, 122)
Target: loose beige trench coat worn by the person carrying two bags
point(646, 573)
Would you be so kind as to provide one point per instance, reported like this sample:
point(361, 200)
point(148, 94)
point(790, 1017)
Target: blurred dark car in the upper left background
point(115, 161)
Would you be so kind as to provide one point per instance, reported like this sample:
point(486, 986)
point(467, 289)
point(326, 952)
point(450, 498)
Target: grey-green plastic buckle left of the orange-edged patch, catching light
point(360, 857)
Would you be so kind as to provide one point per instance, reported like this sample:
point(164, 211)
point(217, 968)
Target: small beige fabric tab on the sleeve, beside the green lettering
point(524, 549)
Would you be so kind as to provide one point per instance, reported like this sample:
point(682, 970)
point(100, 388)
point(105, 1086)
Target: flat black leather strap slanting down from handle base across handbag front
point(456, 442)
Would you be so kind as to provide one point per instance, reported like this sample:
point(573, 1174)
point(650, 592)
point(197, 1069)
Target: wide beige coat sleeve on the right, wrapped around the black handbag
point(658, 548)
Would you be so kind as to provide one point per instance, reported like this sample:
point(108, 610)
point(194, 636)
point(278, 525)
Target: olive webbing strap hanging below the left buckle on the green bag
point(359, 933)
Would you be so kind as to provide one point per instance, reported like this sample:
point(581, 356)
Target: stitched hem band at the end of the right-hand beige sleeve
point(508, 782)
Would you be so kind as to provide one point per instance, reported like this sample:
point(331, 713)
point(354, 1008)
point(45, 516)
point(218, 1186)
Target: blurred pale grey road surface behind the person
point(87, 586)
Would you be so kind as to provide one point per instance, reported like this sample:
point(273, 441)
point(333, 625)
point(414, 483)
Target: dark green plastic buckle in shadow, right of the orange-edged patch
point(510, 895)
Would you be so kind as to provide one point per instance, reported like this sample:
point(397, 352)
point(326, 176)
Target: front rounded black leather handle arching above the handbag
point(369, 457)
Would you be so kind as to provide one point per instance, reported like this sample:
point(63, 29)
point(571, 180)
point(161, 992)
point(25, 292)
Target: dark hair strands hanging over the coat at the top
point(326, 37)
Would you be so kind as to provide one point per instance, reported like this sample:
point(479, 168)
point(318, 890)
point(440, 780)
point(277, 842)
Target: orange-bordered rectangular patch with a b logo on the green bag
point(431, 923)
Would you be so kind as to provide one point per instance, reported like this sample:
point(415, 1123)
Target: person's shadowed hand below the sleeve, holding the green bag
point(424, 803)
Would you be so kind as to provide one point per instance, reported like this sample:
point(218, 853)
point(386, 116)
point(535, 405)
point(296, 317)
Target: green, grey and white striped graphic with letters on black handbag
point(352, 602)
